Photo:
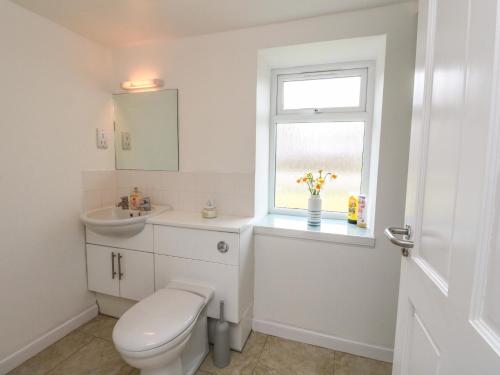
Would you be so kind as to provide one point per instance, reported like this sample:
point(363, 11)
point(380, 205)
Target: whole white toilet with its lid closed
point(166, 333)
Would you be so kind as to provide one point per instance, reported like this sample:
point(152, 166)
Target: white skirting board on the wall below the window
point(320, 339)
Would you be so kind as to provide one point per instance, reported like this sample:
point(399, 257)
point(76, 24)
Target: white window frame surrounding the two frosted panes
point(364, 113)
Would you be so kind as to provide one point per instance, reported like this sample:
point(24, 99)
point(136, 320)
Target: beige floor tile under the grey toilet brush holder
point(241, 363)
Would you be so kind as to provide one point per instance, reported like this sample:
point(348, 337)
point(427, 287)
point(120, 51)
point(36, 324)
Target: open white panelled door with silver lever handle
point(449, 302)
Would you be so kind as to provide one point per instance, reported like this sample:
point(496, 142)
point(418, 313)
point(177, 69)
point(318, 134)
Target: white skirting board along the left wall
point(44, 341)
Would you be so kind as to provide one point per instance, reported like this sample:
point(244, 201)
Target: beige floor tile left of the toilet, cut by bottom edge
point(97, 358)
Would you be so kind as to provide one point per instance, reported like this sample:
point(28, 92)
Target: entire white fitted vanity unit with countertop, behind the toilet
point(183, 247)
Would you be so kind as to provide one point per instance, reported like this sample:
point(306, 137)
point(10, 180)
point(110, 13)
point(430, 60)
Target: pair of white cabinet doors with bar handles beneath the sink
point(120, 272)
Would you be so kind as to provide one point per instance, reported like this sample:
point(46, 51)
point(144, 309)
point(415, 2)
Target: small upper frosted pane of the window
point(322, 93)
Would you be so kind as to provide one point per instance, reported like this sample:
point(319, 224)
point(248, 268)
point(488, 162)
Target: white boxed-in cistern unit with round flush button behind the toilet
point(218, 259)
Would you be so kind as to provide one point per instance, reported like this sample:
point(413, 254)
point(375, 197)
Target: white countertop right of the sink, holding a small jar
point(223, 223)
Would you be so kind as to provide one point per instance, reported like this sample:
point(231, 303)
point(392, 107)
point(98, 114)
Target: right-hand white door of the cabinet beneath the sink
point(137, 268)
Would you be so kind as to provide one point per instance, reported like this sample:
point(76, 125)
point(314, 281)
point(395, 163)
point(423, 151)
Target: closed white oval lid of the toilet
point(157, 320)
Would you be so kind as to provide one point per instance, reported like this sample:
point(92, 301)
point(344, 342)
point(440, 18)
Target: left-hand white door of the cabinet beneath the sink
point(100, 267)
